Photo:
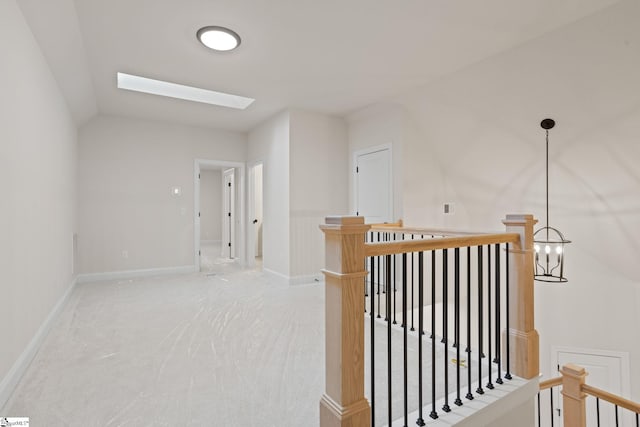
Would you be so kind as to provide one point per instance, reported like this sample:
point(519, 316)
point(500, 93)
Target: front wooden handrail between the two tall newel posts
point(402, 246)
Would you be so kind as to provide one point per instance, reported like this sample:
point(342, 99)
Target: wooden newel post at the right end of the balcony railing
point(524, 340)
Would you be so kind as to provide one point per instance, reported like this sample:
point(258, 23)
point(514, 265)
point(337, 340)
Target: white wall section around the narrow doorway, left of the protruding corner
point(269, 144)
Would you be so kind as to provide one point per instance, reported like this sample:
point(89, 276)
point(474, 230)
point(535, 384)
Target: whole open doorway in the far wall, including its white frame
point(230, 200)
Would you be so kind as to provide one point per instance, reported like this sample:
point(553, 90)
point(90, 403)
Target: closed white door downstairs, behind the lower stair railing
point(605, 372)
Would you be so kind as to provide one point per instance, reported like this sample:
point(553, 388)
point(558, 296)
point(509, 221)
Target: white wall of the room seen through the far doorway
point(211, 205)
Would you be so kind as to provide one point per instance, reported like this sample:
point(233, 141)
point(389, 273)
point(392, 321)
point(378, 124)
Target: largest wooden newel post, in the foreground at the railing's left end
point(343, 403)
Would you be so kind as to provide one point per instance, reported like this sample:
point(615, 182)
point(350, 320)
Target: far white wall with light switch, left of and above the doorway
point(129, 219)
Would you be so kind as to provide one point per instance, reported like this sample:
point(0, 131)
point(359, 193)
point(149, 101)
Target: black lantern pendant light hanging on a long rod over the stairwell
point(548, 242)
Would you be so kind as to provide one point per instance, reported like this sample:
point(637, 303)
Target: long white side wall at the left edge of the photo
point(38, 150)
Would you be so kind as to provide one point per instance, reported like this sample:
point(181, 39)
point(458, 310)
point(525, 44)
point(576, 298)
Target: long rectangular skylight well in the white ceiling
point(174, 90)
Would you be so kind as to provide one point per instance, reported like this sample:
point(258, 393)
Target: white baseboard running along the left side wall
point(10, 381)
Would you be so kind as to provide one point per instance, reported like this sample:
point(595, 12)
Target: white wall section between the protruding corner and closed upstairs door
point(319, 165)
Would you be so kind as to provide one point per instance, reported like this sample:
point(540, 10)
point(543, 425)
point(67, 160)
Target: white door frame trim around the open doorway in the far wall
point(200, 164)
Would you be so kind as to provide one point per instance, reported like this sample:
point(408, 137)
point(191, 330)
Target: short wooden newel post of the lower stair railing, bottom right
point(573, 403)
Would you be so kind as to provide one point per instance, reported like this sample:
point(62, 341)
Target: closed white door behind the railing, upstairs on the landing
point(373, 185)
